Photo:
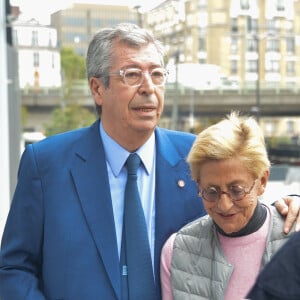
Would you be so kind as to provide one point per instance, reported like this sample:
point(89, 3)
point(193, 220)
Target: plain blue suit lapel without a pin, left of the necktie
point(90, 176)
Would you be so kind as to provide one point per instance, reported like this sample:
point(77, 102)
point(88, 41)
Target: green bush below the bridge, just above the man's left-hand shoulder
point(68, 118)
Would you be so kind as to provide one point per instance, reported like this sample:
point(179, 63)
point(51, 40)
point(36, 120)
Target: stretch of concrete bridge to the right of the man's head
point(272, 102)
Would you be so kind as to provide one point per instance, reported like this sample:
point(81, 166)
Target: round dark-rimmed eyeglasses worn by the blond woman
point(235, 193)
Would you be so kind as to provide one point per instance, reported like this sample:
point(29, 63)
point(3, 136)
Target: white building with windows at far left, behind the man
point(38, 55)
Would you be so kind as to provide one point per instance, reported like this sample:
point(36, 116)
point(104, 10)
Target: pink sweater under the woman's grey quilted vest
point(244, 253)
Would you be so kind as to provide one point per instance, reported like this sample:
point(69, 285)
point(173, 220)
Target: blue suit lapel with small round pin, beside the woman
point(171, 190)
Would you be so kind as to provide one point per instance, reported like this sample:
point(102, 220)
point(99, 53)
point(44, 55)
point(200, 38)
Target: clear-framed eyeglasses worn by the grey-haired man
point(134, 77)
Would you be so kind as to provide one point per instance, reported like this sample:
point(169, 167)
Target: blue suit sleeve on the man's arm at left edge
point(21, 248)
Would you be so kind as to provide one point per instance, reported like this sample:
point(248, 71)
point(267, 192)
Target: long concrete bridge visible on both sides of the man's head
point(181, 102)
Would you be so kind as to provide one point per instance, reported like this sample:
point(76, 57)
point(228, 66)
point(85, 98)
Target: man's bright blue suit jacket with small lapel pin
point(60, 241)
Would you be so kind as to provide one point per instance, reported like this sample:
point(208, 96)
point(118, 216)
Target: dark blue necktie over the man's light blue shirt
point(136, 266)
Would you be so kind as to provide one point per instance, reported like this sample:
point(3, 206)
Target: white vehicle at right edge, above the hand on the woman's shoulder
point(284, 180)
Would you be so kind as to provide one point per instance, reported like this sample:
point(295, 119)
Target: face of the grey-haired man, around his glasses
point(130, 114)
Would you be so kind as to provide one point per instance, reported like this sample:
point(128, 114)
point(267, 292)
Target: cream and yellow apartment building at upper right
point(252, 41)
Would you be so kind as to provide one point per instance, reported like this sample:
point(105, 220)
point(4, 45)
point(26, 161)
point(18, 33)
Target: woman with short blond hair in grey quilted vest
point(220, 255)
